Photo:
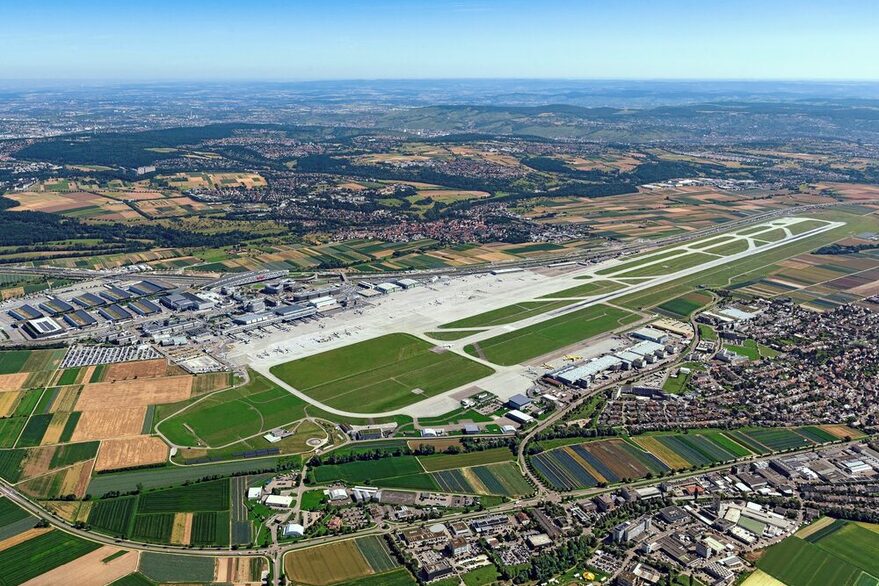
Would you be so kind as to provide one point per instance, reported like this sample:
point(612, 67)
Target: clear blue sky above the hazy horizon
point(370, 39)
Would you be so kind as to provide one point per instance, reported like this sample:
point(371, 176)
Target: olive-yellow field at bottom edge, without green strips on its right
point(326, 564)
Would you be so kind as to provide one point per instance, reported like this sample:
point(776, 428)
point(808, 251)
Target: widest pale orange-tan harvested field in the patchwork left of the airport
point(125, 394)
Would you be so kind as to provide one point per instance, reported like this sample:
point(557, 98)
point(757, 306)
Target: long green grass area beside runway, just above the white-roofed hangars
point(533, 341)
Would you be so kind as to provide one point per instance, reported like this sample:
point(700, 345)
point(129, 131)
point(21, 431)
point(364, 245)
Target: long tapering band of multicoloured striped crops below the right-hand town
point(609, 461)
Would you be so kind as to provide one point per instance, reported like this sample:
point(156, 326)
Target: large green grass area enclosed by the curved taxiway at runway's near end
point(380, 374)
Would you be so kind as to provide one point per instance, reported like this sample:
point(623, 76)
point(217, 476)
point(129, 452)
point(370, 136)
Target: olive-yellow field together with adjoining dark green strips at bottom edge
point(343, 561)
